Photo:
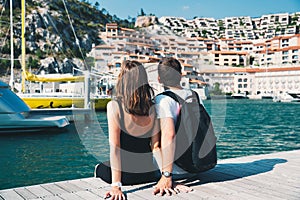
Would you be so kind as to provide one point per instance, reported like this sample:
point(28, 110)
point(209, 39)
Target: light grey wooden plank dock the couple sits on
point(271, 176)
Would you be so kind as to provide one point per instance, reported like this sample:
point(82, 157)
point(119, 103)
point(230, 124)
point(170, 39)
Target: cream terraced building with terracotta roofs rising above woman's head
point(120, 44)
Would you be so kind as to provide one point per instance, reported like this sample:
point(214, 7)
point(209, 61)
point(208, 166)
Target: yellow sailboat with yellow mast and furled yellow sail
point(57, 99)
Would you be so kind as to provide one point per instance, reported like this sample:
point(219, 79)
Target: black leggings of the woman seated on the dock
point(103, 171)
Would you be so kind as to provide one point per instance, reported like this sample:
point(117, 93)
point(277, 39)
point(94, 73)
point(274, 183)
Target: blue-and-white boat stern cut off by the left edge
point(15, 115)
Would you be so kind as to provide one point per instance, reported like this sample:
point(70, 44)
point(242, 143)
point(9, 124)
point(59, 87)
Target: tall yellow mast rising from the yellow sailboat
point(23, 63)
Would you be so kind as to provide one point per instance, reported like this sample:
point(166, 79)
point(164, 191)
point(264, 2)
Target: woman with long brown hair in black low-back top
point(132, 124)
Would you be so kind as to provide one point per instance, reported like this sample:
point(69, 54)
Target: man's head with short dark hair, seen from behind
point(169, 71)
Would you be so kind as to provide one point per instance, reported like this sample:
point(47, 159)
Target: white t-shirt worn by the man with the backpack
point(166, 107)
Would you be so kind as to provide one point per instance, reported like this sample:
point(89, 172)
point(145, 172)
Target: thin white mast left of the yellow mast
point(11, 81)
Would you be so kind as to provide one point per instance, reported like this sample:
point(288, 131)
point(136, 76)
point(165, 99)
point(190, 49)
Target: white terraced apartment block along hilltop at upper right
point(239, 28)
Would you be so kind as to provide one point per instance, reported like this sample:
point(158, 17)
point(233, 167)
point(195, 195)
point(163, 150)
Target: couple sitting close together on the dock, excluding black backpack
point(141, 129)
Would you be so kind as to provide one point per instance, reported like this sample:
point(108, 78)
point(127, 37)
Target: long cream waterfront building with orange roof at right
point(255, 82)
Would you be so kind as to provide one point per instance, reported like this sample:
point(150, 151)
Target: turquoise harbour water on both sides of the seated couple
point(243, 127)
